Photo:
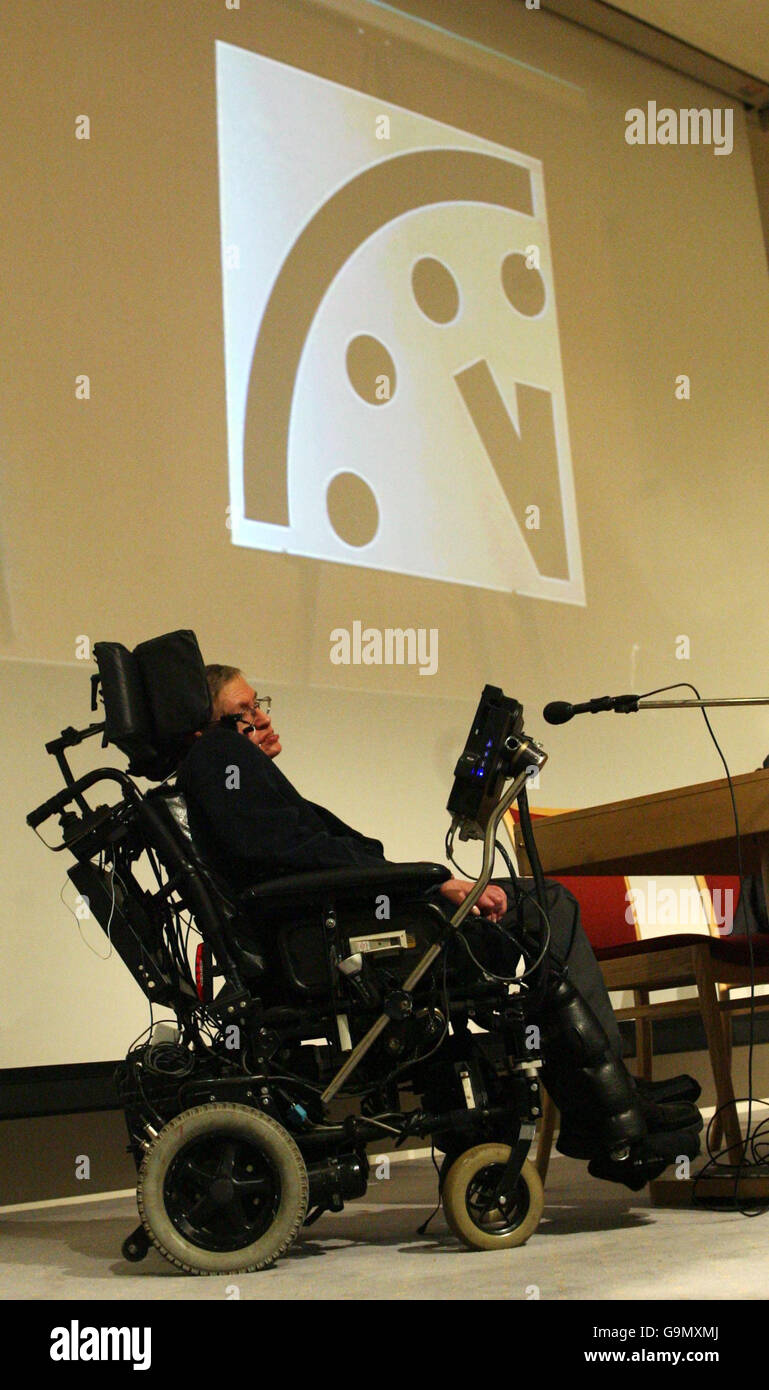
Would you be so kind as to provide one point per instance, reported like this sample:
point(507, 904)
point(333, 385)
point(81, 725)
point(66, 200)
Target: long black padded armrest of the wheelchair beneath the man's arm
point(346, 885)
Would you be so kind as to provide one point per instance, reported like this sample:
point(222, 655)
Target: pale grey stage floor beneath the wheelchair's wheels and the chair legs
point(372, 1252)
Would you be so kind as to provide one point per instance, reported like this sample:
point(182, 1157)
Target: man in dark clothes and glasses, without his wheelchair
point(254, 822)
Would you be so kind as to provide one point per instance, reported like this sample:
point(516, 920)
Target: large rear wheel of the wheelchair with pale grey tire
point(179, 1175)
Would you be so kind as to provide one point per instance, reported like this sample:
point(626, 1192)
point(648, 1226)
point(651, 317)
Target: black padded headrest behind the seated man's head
point(155, 698)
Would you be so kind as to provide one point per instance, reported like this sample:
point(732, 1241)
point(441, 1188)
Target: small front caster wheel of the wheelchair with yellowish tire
point(472, 1211)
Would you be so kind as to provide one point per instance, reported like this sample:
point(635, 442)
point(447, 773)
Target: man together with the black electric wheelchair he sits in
point(430, 1020)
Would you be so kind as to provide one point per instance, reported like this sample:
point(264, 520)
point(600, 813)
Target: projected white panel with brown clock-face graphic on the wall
point(394, 384)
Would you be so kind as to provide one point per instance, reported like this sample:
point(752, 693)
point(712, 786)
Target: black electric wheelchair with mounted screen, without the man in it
point(316, 1015)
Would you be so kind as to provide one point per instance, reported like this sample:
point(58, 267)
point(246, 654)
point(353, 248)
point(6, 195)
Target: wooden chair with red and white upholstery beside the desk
point(702, 957)
